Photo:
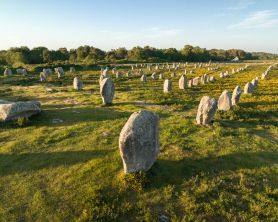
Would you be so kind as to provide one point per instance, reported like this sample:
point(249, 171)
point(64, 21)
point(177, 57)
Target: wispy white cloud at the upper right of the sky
point(259, 19)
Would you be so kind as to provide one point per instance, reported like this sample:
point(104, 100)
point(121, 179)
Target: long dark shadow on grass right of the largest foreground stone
point(169, 172)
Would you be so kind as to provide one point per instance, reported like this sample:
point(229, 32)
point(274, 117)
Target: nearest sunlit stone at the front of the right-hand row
point(206, 110)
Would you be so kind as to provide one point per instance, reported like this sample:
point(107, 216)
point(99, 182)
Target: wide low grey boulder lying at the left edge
point(14, 110)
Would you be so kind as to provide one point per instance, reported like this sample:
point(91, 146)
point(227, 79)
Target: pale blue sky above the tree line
point(251, 25)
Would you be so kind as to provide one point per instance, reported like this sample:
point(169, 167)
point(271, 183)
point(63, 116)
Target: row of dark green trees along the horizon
point(90, 55)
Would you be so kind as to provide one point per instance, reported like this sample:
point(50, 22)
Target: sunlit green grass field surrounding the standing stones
point(72, 171)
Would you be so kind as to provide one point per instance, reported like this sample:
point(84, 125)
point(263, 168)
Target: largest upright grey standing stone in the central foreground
point(139, 141)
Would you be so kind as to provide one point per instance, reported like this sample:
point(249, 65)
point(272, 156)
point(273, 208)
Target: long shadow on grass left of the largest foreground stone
point(22, 163)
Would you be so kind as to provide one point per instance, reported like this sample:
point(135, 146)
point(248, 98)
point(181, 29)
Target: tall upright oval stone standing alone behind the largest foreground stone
point(107, 90)
